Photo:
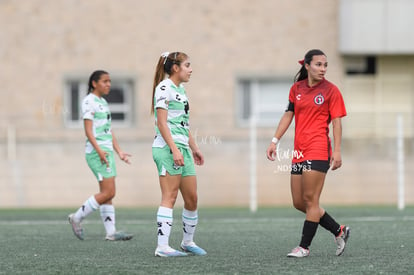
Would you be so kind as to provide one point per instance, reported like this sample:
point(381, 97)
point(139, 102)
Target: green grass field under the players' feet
point(238, 242)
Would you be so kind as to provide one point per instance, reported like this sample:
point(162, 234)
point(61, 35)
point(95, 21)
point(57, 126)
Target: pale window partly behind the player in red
point(267, 97)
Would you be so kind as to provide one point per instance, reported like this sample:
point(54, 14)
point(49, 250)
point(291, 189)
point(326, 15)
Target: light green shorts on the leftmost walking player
point(100, 170)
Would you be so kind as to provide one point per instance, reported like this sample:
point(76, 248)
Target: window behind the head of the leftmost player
point(120, 101)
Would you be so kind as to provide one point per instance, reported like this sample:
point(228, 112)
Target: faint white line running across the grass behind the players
point(210, 220)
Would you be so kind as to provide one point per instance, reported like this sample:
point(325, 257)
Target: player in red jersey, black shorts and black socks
point(315, 102)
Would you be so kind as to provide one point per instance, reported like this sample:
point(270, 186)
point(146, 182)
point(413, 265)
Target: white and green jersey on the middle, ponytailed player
point(173, 99)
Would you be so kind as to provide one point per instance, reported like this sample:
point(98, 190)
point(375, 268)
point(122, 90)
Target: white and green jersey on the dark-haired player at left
point(97, 110)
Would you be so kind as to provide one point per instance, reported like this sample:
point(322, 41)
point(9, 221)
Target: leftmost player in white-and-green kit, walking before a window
point(100, 144)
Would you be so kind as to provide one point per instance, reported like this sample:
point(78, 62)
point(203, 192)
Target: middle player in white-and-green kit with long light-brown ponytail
point(171, 152)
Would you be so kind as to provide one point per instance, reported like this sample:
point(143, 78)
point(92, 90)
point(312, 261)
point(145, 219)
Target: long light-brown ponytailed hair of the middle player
point(164, 66)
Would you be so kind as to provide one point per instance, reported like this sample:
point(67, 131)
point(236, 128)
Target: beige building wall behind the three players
point(44, 42)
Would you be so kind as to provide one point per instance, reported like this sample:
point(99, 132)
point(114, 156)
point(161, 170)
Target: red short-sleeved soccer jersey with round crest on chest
point(314, 108)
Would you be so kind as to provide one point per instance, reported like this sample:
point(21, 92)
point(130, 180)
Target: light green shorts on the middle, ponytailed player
point(164, 160)
